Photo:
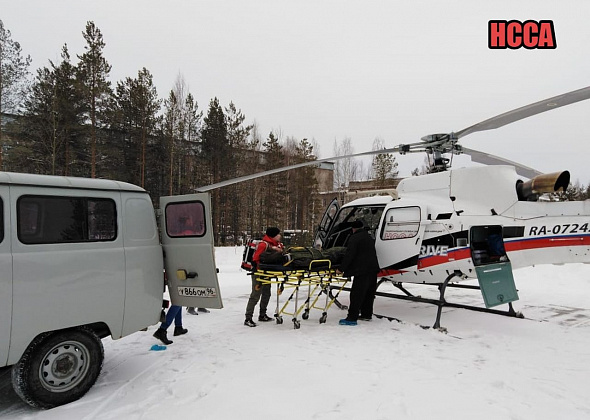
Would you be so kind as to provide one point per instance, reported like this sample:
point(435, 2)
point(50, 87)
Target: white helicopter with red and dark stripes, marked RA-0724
point(444, 227)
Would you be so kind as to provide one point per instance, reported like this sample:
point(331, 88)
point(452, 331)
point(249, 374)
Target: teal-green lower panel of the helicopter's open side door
point(496, 283)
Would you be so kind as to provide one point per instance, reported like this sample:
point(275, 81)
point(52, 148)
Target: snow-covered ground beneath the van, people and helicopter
point(486, 367)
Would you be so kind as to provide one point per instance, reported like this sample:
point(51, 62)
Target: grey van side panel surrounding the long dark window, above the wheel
point(61, 285)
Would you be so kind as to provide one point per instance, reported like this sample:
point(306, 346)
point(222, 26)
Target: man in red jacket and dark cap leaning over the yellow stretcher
point(270, 242)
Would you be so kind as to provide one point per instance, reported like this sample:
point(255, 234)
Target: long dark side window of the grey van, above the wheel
point(49, 219)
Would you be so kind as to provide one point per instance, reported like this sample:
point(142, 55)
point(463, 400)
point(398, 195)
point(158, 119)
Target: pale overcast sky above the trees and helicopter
point(327, 70)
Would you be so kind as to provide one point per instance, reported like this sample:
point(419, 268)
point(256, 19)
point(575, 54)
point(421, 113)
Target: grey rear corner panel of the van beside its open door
point(144, 264)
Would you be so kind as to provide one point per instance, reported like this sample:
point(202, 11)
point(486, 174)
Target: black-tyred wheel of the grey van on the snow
point(58, 368)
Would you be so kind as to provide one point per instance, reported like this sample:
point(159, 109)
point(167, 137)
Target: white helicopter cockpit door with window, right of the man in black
point(399, 238)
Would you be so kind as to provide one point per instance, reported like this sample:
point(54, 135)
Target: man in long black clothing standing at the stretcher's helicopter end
point(360, 262)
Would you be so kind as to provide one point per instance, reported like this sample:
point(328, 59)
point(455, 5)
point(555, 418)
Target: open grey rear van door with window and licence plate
point(187, 238)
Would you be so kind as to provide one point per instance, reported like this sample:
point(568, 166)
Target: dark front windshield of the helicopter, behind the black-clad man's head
point(341, 230)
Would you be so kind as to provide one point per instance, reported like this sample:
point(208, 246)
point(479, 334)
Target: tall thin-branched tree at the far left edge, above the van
point(14, 75)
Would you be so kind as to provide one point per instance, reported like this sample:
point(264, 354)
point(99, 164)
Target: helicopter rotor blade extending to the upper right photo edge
point(527, 111)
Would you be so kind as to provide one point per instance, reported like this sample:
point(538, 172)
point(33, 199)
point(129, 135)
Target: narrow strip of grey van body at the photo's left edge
point(5, 275)
